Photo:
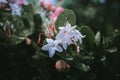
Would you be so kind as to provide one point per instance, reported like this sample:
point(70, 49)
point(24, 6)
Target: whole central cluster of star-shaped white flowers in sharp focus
point(66, 36)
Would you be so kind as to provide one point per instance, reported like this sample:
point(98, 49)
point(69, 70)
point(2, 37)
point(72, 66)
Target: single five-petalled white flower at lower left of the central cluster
point(52, 46)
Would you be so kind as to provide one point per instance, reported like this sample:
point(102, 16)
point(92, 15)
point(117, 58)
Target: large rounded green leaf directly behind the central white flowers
point(66, 16)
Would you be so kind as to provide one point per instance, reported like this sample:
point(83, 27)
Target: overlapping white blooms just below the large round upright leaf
point(69, 35)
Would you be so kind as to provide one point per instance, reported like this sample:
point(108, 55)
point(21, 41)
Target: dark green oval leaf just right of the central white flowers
point(89, 40)
